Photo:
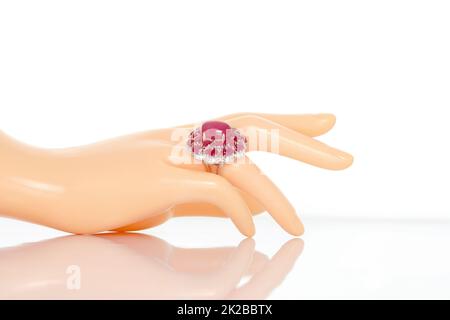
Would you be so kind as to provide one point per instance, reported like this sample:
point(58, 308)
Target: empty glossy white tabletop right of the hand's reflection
point(372, 259)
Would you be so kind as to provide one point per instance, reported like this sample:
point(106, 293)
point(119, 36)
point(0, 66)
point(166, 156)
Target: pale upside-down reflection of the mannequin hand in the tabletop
point(137, 266)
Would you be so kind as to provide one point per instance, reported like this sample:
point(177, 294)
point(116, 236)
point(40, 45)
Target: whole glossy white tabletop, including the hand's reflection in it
point(206, 258)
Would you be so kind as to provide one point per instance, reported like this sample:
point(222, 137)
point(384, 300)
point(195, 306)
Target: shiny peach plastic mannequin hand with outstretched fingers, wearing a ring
point(133, 182)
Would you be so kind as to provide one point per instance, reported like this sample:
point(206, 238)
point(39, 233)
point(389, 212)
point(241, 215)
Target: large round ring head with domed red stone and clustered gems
point(215, 142)
